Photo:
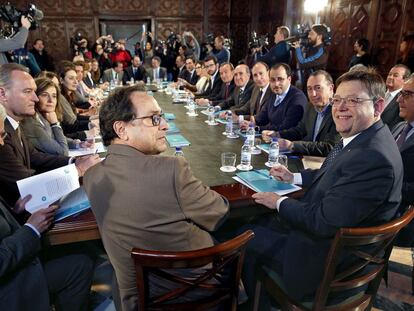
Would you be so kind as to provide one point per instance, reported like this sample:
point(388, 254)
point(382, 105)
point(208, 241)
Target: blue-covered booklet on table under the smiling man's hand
point(260, 181)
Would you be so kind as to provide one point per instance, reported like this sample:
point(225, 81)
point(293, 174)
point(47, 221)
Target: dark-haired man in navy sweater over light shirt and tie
point(286, 106)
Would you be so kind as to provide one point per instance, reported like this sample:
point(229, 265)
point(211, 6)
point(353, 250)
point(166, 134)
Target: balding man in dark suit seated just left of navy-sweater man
point(260, 93)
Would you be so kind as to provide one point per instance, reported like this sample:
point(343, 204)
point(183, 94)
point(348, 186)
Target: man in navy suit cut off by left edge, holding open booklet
point(26, 282)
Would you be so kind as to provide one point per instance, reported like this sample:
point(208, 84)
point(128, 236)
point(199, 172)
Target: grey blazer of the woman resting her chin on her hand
point(44, 137)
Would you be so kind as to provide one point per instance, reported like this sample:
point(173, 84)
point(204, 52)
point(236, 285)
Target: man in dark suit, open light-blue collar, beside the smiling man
point(315, 134)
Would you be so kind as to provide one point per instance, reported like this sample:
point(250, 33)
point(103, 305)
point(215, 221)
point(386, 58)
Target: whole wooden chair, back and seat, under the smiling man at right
point(378, 239)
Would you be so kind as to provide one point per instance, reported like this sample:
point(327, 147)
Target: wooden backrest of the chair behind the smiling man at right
point(369, 250)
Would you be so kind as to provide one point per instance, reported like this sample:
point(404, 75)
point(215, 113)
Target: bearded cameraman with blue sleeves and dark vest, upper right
point(316, 56)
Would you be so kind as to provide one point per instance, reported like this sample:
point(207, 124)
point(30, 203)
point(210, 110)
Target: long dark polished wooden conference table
point(204, 156)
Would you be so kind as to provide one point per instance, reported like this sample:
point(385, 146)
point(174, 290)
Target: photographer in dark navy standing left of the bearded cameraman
point(280, 52)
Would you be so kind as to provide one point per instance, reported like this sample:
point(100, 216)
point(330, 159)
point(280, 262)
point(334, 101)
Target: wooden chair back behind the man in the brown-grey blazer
point(228, 255)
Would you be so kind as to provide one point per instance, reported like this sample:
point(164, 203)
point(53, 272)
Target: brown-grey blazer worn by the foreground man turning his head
point(150, 202)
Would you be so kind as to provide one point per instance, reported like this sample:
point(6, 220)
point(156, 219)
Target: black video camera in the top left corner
point(11, 15)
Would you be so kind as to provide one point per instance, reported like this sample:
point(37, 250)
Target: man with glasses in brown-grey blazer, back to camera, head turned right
point(141, 199)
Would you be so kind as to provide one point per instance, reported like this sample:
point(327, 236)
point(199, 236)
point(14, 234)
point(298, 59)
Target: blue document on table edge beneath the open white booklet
point(73, 203)
